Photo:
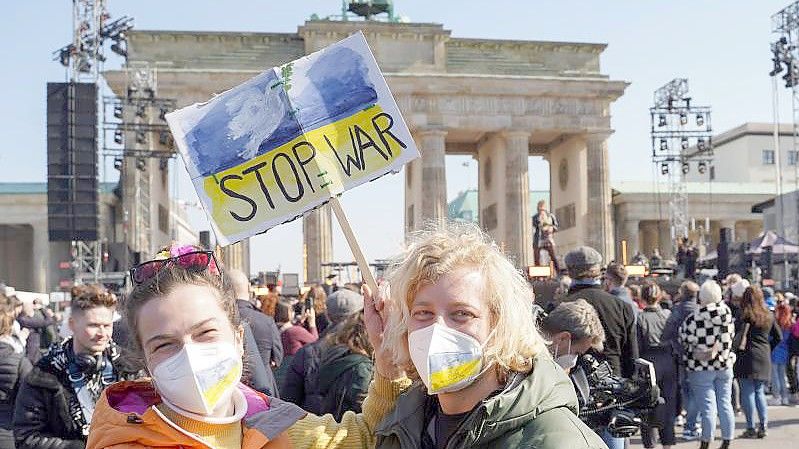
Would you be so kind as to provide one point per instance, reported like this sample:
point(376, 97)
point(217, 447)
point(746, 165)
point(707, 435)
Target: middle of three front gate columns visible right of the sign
point(518, 233)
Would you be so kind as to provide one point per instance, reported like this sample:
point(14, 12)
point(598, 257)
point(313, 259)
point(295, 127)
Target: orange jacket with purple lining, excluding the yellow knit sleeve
point(126, 418)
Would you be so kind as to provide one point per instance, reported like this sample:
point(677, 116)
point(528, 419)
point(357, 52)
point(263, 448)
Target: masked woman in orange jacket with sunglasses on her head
point(186, 326)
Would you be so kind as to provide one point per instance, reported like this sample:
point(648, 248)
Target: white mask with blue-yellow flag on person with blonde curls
point(446, 360)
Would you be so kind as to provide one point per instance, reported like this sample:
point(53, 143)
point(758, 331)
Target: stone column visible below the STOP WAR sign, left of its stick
point(317, 231)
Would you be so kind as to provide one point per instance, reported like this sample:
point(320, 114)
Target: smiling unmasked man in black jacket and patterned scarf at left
point(56, 401)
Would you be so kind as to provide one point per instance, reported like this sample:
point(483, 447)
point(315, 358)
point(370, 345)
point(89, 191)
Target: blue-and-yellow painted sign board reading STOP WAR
point(291, 139)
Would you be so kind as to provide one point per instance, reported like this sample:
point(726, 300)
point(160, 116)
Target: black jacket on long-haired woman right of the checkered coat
point(754, 362)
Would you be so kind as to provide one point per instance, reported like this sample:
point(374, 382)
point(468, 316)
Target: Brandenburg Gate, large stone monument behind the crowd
point(499, 101)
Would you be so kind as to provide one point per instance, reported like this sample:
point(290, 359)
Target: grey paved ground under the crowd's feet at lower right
point(783, 432)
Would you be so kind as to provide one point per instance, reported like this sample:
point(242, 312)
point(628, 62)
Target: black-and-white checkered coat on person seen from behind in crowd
point(709, 324)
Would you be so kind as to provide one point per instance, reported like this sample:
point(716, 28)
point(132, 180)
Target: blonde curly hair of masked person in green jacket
point(442, 249)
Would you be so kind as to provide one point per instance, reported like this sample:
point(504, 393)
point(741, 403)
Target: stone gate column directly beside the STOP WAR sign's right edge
point(434, 177)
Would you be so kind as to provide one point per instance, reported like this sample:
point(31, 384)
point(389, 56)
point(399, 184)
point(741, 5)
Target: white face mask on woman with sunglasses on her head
point(200, 377)
